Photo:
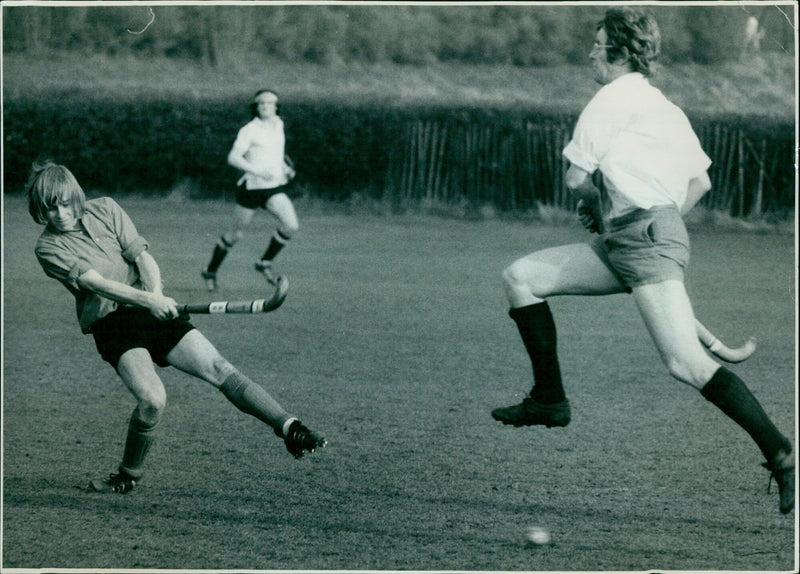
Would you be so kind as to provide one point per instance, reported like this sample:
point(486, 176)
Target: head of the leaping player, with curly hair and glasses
point(633, 34)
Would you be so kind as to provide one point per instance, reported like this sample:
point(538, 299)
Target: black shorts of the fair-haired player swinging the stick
point(131, 328)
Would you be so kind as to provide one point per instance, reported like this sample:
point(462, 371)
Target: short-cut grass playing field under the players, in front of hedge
point(394, 341)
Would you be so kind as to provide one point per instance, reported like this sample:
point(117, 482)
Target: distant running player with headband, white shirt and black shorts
point(259, 152)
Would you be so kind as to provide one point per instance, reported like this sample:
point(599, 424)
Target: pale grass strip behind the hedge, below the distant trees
point(762, 86)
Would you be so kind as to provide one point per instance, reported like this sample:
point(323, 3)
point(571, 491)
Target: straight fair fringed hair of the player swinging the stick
point(49, 183)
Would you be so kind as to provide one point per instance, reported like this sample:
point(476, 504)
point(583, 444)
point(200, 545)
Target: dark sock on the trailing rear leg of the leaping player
point(731, 395)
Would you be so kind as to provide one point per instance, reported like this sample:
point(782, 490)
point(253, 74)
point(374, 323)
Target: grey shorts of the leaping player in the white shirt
point(645, 246)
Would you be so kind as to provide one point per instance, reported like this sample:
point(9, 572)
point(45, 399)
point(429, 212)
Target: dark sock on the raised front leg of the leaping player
point(538, 332)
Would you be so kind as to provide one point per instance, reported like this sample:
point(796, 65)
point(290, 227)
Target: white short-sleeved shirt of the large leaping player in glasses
point(642, 143)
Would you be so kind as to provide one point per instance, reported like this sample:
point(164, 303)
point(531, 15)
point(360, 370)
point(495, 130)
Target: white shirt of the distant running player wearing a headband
point(265, 144)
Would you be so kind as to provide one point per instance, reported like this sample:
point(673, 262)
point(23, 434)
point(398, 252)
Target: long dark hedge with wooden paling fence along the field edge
point(509, 158)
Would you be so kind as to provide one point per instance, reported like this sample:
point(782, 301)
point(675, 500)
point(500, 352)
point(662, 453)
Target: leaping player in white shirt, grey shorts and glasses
point(654, 171)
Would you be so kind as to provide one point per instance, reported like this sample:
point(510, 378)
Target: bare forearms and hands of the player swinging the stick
point(159, 306)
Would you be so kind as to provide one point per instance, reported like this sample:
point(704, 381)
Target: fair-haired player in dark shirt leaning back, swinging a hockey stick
point(93, 248)
